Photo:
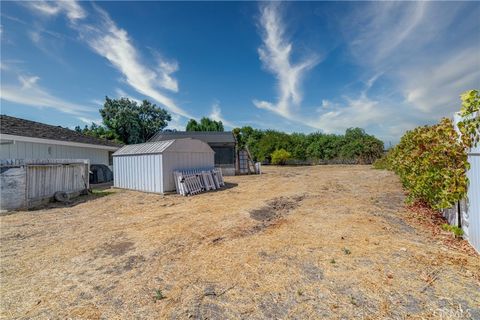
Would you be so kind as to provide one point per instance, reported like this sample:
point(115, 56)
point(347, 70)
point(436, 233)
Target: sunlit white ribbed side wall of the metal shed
point(138, 172)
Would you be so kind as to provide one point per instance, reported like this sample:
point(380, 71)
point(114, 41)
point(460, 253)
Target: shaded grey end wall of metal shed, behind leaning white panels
point(183, 160)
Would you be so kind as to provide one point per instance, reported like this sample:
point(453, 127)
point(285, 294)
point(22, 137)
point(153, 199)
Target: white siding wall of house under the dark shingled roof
point(30, 150)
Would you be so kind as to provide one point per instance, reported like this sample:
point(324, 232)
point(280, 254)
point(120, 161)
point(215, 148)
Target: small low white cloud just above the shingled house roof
point(28, 92)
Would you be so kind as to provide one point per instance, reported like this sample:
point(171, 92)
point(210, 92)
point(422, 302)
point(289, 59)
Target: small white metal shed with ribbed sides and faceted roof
point(149, 166)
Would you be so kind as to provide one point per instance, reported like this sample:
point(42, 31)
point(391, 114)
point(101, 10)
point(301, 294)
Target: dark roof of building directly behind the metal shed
point(205, 136)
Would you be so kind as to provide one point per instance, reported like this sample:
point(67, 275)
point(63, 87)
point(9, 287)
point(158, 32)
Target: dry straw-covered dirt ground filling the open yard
point(323, 242)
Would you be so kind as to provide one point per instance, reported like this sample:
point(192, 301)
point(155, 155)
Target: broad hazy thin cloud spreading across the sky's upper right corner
point(412, 44)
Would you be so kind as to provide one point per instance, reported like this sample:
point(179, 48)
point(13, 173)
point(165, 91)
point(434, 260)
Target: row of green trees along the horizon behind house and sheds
point(126, 121)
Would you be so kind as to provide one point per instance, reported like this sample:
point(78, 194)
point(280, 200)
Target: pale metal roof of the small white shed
point(156, 147)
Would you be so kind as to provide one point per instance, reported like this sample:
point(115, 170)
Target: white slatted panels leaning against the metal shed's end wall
point(193, 181)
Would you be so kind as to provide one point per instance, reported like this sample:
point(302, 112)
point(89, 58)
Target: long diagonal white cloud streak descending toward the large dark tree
point(108, 40)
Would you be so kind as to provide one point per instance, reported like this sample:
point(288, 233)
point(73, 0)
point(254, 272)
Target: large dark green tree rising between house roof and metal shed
point(133, 123)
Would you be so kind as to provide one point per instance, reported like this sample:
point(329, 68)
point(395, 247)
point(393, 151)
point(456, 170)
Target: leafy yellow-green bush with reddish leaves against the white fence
point(432, 161)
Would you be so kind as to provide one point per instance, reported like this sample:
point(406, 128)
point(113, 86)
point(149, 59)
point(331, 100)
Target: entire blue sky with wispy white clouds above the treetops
point(383, 66)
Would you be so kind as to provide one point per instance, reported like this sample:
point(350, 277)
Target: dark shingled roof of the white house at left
point(26, 128)
